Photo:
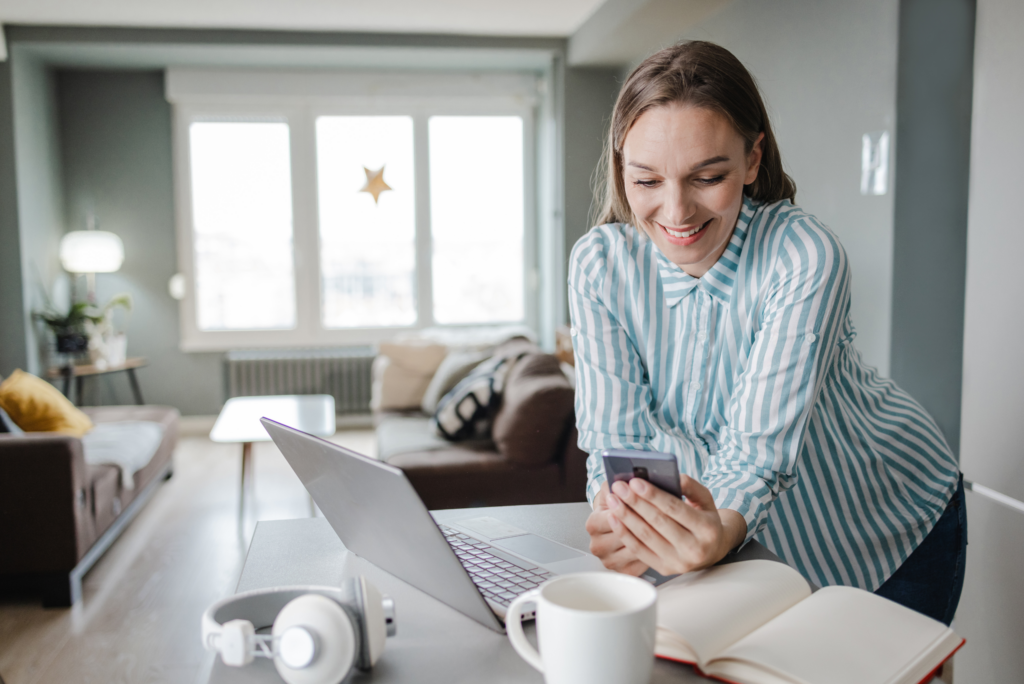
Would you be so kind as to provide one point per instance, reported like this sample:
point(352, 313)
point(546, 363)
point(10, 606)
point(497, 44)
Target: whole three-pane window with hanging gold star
point(308, 221)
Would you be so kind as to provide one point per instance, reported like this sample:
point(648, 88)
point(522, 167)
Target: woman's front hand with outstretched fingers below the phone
point(670, 535)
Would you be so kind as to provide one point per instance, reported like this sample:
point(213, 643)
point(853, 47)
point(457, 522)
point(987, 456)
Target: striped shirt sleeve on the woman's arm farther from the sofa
point(804, 307)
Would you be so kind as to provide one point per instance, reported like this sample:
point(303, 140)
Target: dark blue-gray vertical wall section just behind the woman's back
point(933, 146)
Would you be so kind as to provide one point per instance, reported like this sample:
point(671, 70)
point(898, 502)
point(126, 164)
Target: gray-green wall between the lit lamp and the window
point(116, 129)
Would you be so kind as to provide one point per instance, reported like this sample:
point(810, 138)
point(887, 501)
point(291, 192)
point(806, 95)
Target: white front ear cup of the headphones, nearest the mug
point(334, 635)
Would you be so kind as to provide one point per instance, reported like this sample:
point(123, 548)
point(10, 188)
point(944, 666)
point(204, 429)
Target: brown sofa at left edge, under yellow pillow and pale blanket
point(59, 515)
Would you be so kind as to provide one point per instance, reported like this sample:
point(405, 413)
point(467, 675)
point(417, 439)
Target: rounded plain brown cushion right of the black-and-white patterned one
point(537, 405)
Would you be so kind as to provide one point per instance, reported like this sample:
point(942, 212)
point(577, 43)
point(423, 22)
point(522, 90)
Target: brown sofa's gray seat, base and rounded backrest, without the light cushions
point(532, 459)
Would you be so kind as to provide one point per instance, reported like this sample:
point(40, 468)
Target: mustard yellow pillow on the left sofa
point(36, 406)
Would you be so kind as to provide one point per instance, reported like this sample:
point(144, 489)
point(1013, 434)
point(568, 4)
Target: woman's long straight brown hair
point(703, 75)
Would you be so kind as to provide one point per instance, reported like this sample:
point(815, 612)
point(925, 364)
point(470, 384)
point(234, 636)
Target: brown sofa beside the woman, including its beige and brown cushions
point(530, 455)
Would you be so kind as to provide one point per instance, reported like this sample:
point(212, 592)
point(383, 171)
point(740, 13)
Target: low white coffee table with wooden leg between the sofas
point(239, 423)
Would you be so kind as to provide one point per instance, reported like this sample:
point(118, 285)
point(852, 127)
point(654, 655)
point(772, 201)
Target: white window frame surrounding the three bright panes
point(281, 100)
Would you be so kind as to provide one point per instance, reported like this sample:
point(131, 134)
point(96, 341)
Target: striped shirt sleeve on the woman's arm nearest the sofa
point(613, 395)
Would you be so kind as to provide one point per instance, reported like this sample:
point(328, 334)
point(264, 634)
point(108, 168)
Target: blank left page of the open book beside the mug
point(710, 610)
